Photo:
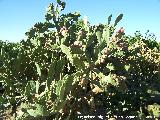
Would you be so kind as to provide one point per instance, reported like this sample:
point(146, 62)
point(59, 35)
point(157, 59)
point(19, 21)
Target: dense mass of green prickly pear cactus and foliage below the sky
point(67, 67)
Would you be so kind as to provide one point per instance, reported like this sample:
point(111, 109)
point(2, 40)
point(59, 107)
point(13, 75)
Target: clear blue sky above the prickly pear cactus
point(17, 16)
